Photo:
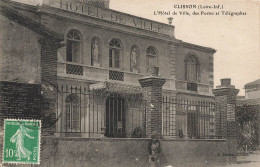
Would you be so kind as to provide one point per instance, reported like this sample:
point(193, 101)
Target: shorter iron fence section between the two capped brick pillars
point(183, 118)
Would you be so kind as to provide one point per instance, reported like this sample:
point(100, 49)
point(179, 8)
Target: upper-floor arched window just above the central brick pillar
point(151, 57)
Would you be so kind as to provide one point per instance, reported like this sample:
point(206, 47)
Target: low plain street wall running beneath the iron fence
point(78, 152)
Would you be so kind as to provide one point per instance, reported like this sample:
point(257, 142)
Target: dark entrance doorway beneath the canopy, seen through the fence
point(115, 117)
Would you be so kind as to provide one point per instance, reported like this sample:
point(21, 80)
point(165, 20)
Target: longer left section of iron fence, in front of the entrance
point(99, 114)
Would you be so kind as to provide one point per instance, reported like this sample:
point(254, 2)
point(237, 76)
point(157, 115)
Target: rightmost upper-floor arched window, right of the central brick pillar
point(191, 69)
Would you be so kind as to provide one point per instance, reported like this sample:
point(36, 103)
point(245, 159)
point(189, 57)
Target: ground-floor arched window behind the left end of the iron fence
point(72, 113)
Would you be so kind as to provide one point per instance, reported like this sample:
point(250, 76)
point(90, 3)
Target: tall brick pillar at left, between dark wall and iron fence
point(49, 84)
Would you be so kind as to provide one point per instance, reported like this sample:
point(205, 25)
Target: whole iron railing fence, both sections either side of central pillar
point(85, 113)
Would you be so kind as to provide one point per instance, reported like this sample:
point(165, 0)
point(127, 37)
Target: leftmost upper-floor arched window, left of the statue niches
point(73, 46)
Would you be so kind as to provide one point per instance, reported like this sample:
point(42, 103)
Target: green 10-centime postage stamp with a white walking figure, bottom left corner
point(22, 141)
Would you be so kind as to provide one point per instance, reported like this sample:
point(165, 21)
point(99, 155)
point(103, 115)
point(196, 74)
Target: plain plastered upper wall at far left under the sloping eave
point(20, 61)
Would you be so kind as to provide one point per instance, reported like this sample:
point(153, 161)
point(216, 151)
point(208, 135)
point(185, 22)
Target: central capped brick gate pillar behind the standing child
point(152, 94)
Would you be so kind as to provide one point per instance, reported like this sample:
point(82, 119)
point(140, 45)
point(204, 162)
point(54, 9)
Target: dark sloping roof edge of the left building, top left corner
point(8, 11)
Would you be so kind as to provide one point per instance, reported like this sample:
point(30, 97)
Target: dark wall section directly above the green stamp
point(19, 100)
